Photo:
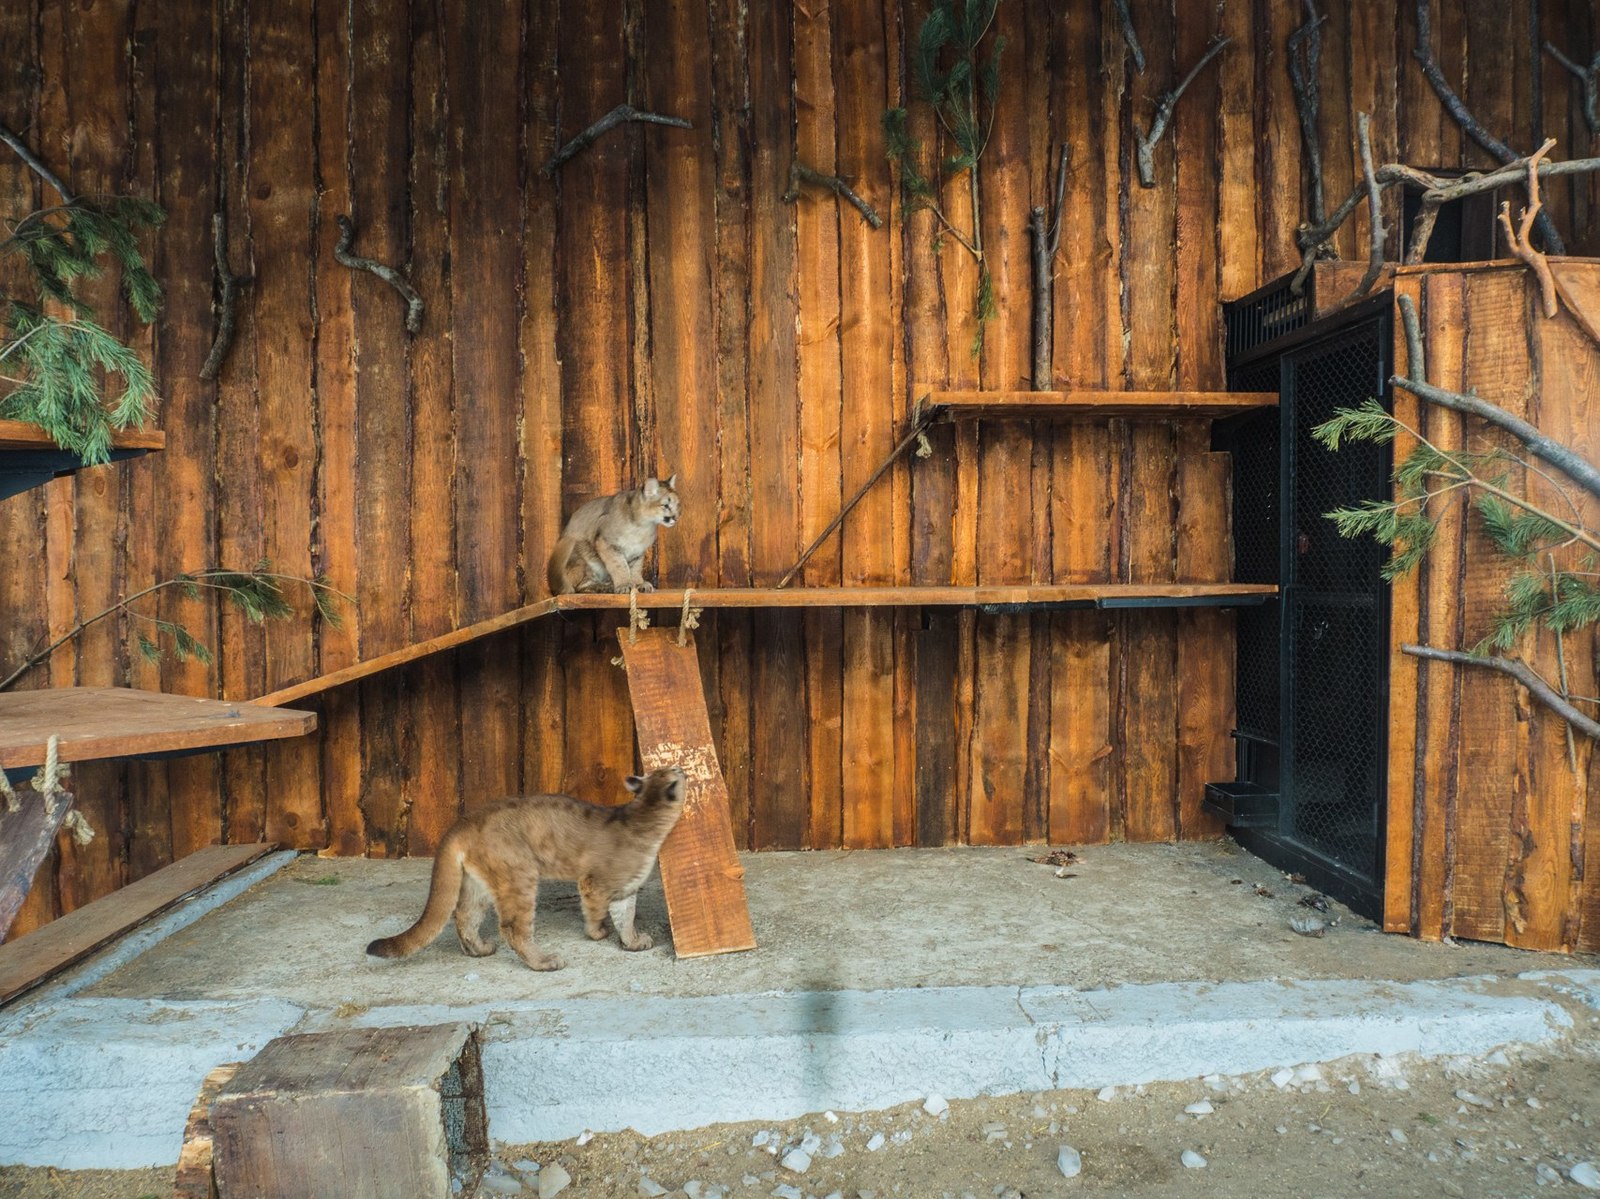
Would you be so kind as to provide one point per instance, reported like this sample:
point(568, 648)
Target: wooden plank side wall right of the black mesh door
point(1492, 816)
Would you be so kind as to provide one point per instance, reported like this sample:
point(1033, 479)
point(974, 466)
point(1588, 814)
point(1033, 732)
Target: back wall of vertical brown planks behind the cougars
point(660, 307)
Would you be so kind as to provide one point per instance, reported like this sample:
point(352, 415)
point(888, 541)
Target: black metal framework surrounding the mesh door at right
point(1268, 809)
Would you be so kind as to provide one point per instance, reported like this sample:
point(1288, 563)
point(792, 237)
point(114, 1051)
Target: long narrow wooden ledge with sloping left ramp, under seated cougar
point(1020, 598)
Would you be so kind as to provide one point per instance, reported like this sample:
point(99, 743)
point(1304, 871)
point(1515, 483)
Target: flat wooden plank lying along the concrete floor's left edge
point(31, 960)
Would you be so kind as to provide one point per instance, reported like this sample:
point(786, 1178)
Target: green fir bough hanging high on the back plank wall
point(956, 71)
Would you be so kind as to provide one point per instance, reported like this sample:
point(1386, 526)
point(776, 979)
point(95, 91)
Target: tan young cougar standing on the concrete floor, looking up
point(498, 854)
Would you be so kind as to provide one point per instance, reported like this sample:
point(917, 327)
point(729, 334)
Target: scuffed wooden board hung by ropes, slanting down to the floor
point(700, 867)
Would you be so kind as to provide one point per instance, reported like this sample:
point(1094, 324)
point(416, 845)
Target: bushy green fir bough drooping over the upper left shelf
point(57, 361)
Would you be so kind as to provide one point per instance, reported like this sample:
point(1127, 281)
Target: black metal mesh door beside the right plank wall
point(1334, 672)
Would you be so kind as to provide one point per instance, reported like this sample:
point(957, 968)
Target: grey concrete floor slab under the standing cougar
point(826, 921)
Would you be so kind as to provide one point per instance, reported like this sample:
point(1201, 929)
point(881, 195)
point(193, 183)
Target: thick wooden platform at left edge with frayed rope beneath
point(122, 723)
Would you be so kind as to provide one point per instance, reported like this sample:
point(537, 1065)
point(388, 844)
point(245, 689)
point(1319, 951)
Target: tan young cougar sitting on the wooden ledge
point(607, 539)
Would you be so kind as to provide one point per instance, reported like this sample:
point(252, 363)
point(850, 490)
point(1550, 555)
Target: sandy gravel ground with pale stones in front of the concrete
point(1462, 1128)
